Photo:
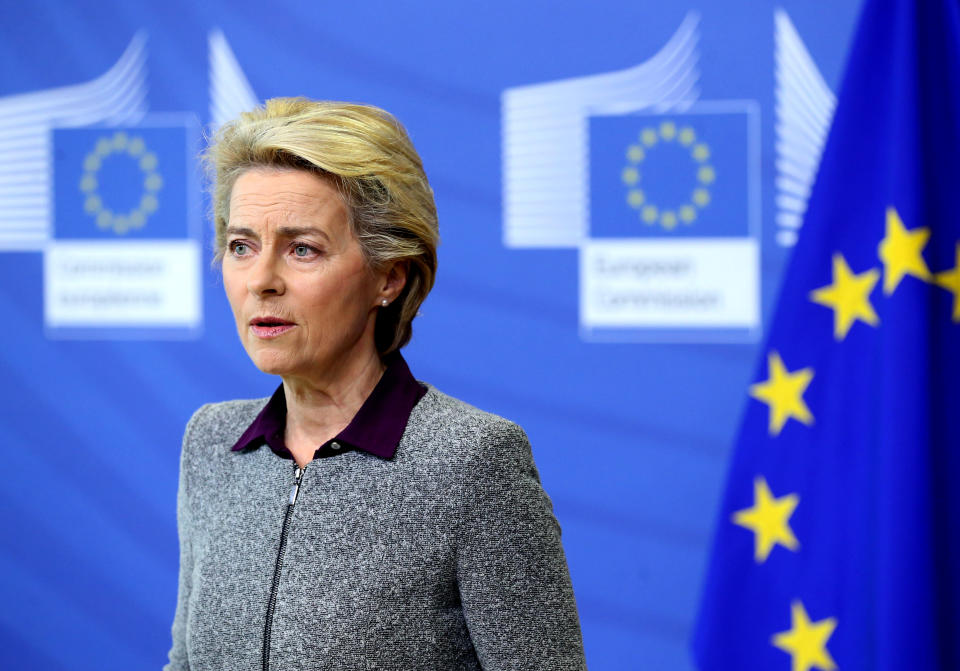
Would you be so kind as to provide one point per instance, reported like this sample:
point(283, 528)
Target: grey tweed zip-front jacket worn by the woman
point(445, 557)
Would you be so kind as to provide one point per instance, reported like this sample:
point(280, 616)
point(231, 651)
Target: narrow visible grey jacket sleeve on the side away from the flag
point(178, 660)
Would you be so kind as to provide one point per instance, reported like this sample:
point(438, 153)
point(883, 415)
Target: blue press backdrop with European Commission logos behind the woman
point(619, 185)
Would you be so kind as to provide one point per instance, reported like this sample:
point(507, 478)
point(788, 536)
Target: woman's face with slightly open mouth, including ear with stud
point(302, 294)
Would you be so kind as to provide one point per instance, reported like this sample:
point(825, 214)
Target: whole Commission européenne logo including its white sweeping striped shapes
point(109, 195)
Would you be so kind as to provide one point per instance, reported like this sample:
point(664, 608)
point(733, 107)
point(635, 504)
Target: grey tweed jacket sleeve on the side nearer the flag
point(511, 571)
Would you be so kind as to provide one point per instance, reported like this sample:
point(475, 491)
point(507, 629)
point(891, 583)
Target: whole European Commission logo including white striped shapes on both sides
point(658, 190)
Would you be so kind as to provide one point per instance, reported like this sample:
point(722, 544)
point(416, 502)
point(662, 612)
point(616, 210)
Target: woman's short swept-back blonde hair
point(367, 153)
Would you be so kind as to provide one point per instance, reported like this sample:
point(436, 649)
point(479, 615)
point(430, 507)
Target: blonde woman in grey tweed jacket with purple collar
point(358, 519)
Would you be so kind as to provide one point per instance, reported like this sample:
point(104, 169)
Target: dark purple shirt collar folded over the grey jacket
point(376, 428)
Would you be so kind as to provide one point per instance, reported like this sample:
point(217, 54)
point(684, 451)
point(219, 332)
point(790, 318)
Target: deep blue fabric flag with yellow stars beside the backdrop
point(838, 542)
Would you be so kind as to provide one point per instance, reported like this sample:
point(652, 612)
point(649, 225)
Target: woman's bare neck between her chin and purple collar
point(321, 406)
